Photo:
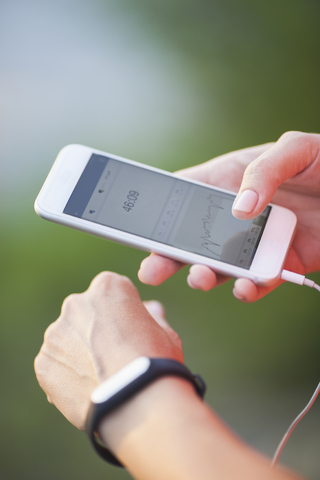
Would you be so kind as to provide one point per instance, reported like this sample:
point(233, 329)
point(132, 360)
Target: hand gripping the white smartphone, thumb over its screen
point(286, 173)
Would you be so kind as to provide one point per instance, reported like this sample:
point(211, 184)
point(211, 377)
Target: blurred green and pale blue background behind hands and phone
point(171, 84)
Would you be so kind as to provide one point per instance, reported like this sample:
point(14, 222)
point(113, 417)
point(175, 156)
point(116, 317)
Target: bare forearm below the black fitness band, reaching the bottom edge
point(167, 431)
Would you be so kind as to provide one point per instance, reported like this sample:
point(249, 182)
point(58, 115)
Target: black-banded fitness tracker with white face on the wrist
point(123, 385)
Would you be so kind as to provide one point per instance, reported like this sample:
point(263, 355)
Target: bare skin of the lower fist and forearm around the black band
point(164, 432)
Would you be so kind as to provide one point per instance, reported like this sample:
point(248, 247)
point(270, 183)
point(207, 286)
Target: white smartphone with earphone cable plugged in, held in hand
point(160, 212)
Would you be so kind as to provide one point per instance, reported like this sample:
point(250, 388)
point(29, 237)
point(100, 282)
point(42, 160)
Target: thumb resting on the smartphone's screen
point(290, 155)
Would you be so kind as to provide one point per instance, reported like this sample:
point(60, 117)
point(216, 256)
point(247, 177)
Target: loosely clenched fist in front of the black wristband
point(97, 333)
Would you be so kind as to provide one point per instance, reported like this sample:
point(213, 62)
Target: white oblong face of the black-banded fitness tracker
point(119, 380)
